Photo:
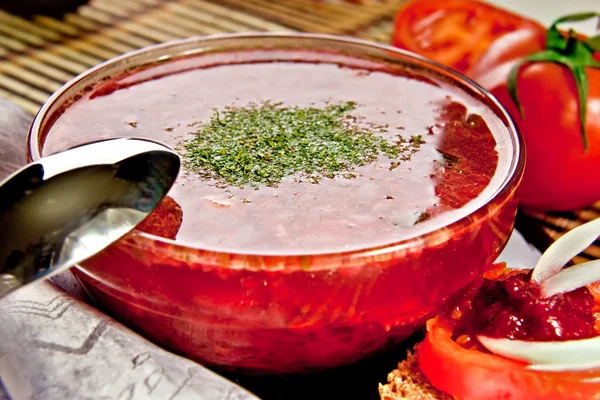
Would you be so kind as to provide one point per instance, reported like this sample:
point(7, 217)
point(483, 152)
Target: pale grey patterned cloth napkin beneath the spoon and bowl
point(56, 345)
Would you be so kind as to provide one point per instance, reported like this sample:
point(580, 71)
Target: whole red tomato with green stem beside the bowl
point(558, 90)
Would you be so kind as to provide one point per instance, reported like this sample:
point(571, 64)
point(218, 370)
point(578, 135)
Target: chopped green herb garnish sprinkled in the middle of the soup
point(263, 143)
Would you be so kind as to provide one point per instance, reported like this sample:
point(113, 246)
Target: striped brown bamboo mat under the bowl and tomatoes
point(38, 55)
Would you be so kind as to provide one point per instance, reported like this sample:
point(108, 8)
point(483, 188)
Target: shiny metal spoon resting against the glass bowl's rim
point(64, 208)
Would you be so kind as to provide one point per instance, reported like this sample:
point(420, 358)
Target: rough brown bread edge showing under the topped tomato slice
point(408, 383)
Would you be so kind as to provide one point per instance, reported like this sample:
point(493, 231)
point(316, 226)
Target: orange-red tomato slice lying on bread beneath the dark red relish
point(472, 374)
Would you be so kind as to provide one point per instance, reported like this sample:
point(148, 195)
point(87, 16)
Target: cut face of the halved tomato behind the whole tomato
point(461, 33)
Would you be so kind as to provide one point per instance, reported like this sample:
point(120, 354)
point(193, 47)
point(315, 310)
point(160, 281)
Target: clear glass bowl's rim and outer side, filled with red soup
point(290, 313)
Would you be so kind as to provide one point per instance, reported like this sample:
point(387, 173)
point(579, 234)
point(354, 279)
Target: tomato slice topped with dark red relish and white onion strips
point(457, 361)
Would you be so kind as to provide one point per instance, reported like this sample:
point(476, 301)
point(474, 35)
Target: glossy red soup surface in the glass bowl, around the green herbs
point(446, 171)
